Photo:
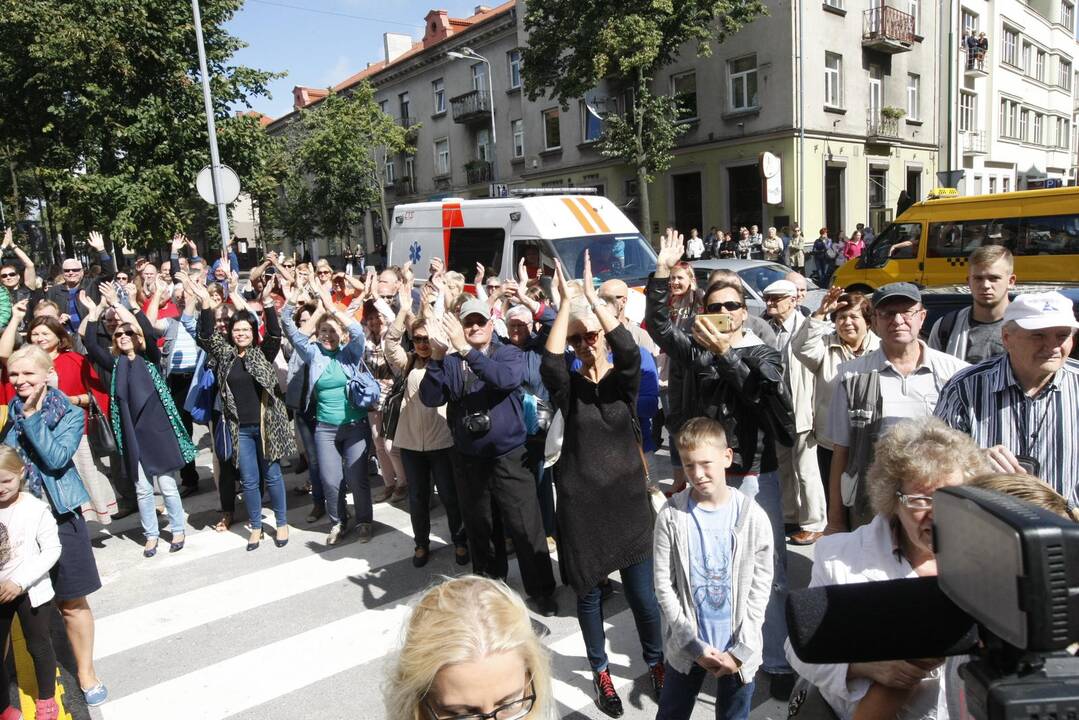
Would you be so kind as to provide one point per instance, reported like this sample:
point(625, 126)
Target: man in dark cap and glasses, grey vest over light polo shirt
point(902, 379)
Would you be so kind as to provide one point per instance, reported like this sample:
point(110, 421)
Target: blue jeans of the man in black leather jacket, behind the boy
point(767, 490)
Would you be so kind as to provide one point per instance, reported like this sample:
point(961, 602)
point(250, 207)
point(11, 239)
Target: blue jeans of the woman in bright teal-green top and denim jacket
point(343, 459)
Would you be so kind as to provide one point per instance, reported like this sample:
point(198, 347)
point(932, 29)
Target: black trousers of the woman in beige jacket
point(422, 470)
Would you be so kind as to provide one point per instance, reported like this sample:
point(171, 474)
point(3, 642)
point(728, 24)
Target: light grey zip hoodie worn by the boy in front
point(750, 581)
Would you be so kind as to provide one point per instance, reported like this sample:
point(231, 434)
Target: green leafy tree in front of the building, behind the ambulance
point(573, 47)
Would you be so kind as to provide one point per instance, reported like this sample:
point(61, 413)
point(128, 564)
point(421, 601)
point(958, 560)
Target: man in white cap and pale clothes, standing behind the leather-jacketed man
point(804, 500)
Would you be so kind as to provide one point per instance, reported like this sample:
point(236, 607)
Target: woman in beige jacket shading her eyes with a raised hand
point(823, 350)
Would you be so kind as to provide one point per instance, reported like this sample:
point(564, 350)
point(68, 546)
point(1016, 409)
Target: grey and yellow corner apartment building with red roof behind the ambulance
point(850, 105)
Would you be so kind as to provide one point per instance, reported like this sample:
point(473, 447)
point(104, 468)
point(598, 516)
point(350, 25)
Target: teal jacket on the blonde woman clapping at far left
point(52, 452)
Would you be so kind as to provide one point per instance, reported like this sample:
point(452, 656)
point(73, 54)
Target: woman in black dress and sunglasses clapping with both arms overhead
point(605, 515)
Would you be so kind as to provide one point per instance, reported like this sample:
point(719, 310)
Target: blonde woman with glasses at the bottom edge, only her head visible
point(470, 651)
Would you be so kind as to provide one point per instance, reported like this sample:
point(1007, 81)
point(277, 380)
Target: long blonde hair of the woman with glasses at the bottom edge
point(460, 621)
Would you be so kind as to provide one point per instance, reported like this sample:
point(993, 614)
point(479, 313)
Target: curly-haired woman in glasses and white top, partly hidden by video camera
point(913, 460)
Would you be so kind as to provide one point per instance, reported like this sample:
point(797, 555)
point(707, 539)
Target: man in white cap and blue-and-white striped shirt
point(1023, 406)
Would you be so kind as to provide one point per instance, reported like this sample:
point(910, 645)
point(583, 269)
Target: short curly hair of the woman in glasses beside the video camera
point(922, 450)
